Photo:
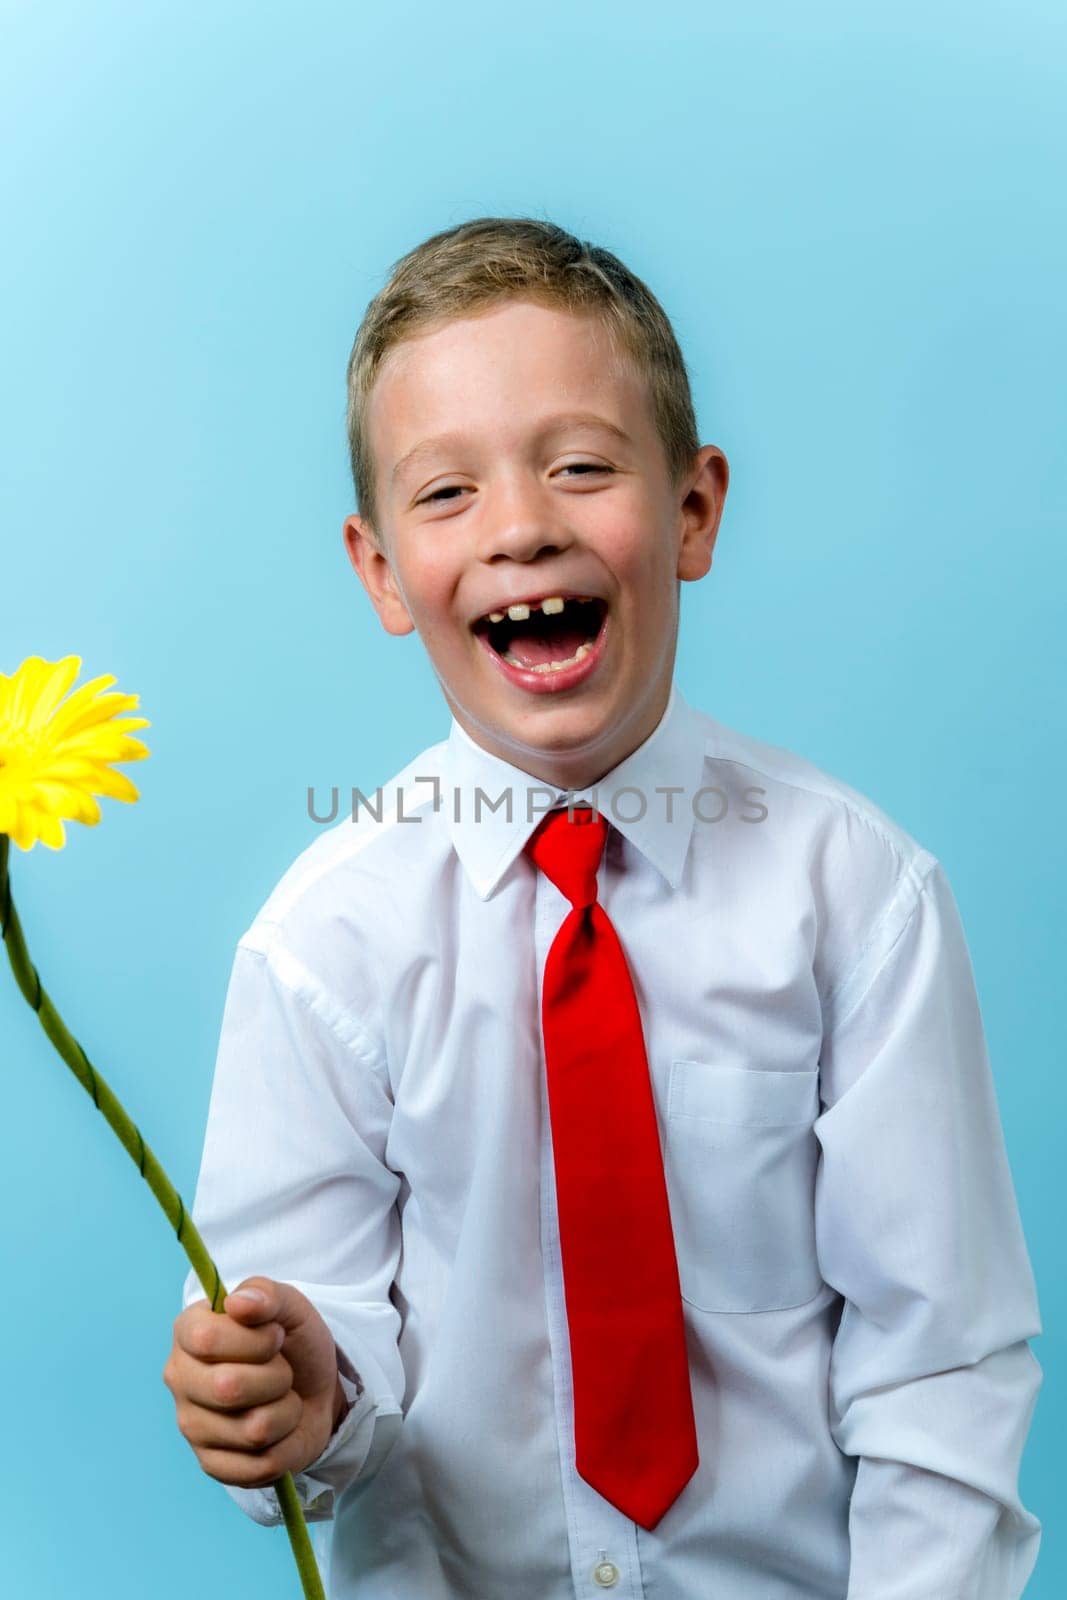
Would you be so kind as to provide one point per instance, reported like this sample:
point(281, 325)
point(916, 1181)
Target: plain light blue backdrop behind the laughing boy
point(850, 215)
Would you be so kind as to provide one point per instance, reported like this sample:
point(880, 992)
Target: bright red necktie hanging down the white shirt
point(634, 1430)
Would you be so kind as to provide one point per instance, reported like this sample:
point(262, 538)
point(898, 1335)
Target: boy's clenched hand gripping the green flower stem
point(257, 1385)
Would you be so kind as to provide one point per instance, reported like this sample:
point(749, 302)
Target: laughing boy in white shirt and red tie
point(813, 1375)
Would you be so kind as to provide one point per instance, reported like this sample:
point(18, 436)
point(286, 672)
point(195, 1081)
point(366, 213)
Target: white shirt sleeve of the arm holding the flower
point(294, 1186)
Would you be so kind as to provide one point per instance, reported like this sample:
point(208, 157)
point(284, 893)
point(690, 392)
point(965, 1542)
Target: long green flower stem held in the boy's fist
point(156, 1178)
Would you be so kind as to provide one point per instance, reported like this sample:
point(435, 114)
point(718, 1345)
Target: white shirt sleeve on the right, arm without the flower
point(932, 1380)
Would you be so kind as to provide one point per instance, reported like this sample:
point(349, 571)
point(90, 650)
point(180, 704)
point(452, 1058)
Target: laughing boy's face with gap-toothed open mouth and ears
point(513, 498)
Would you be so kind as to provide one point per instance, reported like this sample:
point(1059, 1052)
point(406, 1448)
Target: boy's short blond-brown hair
point(489, 260)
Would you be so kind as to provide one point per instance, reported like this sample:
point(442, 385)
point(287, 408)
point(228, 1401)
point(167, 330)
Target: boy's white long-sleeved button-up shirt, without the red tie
point(858, 1294)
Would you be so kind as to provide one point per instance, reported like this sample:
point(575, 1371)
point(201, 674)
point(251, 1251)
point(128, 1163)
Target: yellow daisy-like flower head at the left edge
point(54, 759)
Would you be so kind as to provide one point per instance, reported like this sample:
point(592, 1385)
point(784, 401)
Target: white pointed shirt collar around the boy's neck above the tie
point(671, 758)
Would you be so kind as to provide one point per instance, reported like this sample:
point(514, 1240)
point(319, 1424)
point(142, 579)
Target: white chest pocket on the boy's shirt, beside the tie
point(740, 1164)
